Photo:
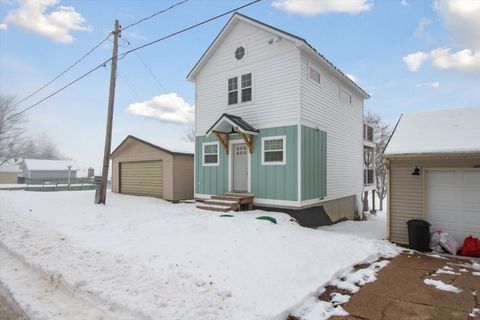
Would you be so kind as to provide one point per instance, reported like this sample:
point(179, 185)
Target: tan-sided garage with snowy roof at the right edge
point(433, 161)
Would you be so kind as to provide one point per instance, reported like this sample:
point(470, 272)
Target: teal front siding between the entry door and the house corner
point(277, 182)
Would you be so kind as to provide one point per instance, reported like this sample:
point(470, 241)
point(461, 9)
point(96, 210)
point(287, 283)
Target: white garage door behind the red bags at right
point(453, 202)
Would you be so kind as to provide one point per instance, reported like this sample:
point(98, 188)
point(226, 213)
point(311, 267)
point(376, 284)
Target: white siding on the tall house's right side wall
point(321, 107)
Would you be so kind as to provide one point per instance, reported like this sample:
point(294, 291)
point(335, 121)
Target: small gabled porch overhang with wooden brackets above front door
point(229, 124)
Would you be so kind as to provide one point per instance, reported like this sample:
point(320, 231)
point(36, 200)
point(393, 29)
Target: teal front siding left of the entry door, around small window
point(210, 179)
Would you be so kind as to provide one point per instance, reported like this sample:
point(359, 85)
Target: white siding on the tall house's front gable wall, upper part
point(275, 80)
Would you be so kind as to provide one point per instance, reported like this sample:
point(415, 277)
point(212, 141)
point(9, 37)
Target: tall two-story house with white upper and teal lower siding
point(274, 118)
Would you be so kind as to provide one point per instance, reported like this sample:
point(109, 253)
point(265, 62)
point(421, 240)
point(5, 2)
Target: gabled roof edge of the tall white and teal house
point(301, 43)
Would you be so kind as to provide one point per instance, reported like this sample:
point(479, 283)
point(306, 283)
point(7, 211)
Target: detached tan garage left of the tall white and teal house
point(146, 169)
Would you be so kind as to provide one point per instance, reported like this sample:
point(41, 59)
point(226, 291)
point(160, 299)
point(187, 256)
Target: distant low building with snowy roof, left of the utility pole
point(42, 169)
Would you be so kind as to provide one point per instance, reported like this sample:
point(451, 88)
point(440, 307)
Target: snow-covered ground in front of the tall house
point(64, 257)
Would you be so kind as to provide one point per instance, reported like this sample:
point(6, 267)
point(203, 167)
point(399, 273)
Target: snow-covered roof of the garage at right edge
point(443, 131)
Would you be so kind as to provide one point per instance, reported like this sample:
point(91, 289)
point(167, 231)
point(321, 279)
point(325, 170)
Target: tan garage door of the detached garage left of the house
point(144, 178)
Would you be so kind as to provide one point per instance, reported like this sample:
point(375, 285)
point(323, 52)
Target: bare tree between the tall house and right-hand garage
point(382, 133)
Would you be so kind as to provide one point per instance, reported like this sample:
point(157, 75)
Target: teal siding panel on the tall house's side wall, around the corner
point(314, 163)
